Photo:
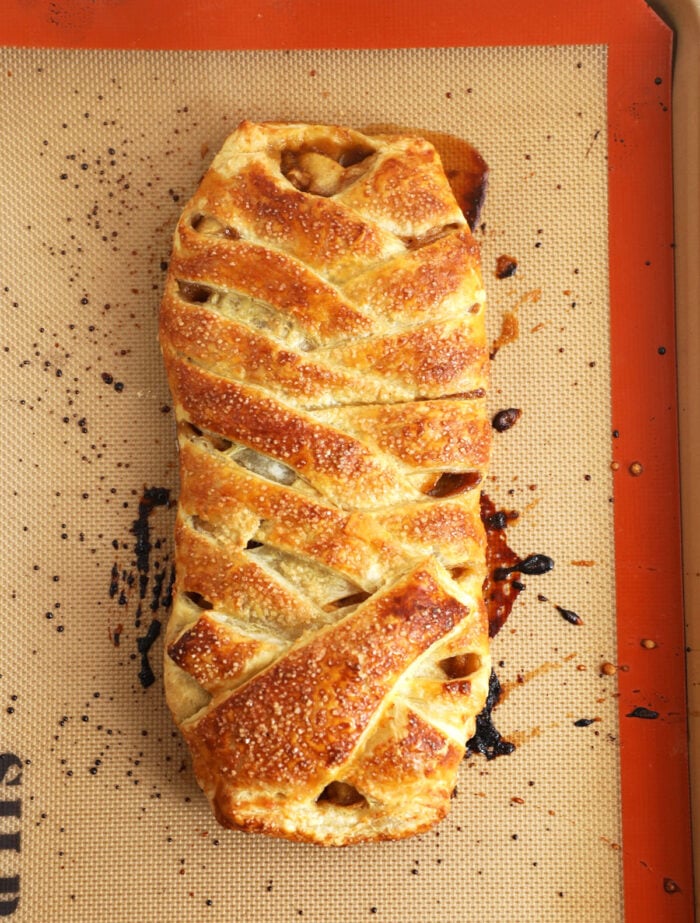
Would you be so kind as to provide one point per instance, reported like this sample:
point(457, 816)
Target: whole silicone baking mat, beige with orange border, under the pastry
point(103, 139)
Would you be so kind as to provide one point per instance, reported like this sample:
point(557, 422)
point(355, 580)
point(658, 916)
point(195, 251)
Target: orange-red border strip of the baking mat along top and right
point(654, 754)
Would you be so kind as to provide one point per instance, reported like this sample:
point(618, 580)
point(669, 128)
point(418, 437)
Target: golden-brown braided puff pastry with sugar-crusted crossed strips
point(323, 333)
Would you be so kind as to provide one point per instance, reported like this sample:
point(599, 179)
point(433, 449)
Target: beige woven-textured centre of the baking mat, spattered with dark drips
point(99, 152)
